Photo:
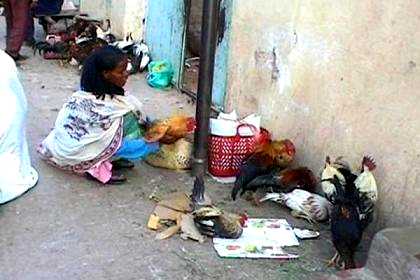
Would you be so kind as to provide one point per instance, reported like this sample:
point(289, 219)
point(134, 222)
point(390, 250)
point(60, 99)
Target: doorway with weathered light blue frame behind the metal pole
point(173, 33)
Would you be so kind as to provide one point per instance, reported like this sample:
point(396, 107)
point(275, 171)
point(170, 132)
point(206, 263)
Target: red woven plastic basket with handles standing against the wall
point(227, 153)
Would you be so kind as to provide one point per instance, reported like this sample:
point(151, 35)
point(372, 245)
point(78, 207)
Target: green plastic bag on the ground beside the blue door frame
point(160, 74)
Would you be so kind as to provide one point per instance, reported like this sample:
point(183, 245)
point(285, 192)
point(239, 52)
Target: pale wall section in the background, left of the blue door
point(126, 15)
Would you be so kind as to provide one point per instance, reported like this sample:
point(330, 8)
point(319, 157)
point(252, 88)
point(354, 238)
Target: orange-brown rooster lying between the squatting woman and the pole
point(170, 130)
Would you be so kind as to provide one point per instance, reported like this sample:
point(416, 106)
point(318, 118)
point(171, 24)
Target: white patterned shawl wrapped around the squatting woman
point(87, 131)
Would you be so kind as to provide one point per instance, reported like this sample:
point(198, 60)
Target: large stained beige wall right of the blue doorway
point(338, 78)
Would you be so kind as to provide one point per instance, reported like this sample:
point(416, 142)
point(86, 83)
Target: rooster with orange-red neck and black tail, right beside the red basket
point(274, 154)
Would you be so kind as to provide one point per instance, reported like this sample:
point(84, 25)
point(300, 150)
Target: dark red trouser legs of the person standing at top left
point(19, 20)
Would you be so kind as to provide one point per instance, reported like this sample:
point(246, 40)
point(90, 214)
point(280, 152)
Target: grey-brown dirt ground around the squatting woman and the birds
point(71, 228)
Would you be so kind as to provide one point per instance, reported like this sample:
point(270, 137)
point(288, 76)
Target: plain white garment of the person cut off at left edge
point(16, 173)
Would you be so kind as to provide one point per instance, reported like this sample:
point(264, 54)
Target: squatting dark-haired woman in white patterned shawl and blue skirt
point(100, 128)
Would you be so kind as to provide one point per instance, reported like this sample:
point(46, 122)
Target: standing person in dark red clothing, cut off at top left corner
point(17, 21)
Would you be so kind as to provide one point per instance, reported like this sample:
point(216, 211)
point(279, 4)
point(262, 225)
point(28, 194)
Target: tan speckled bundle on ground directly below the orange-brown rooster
point(175, 156)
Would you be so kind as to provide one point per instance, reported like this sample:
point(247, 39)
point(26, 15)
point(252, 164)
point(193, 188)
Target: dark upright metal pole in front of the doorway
point(205, 85)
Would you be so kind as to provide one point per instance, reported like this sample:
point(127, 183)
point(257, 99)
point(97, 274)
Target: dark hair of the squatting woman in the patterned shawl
point(93, 80)
